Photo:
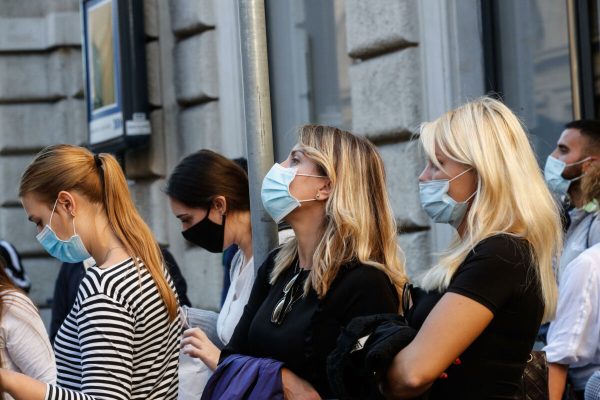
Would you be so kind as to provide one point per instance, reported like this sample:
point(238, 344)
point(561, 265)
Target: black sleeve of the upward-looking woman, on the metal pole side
point(239, 341)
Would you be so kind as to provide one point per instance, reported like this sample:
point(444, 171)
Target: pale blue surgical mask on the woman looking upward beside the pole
point(275, 191)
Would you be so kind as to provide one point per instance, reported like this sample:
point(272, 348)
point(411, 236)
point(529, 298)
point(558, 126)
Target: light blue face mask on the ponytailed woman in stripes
point(71, 251)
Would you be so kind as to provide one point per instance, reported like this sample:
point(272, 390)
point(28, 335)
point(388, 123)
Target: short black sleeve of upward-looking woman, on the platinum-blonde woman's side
point(356, 294)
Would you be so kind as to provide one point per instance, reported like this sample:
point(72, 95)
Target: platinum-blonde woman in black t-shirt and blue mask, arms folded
point(494, 286)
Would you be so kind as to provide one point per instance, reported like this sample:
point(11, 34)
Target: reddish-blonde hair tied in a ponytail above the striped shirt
point(101, 180)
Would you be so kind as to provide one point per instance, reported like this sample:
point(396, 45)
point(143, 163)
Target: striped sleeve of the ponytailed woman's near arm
point(106, 336)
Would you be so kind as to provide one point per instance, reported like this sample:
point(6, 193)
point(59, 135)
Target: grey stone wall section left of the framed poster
point(41, 103)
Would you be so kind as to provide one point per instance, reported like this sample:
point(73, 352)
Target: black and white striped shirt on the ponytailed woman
point(117, 341)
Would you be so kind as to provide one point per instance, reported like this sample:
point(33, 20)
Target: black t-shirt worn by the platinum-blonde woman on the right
point(497, 274)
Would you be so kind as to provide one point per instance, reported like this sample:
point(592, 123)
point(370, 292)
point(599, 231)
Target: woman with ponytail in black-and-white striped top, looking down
point(121, 338)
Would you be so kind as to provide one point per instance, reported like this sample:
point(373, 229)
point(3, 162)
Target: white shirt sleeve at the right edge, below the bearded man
point(574, 334)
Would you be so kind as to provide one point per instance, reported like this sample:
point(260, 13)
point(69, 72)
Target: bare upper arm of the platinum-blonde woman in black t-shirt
point(419, 364)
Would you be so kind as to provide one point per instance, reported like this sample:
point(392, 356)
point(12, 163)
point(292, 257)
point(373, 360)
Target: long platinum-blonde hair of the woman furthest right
point(511, 198)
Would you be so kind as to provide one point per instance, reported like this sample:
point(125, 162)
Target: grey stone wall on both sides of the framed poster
point(41, 103)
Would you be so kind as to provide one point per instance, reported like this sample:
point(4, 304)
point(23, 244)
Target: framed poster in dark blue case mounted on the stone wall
point(115, 74)
